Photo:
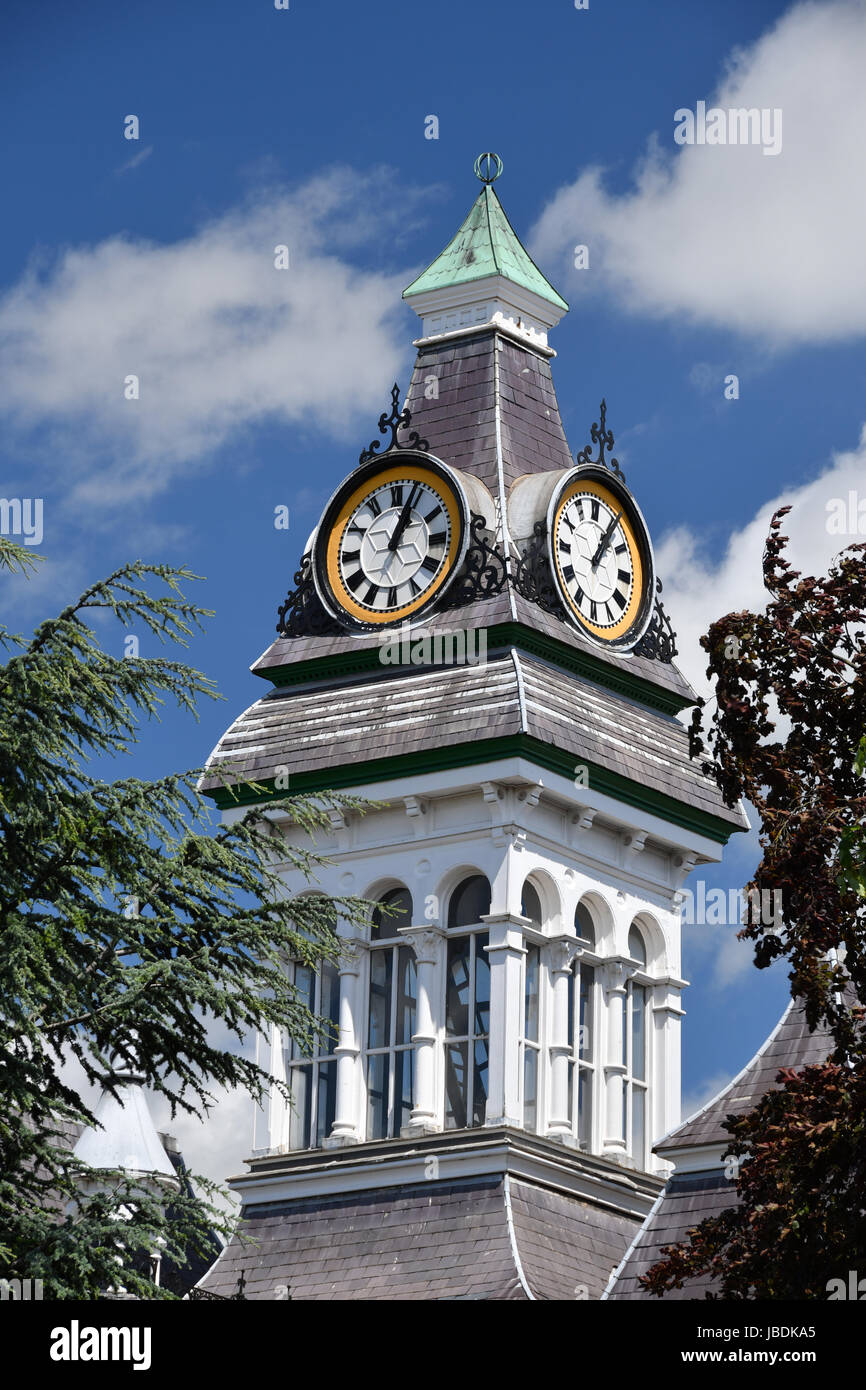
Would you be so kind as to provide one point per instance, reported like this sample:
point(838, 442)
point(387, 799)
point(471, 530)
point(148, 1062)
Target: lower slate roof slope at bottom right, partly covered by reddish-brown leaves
point(686, 1202)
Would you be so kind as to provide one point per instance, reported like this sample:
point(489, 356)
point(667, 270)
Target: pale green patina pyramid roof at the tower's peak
point(486, 245)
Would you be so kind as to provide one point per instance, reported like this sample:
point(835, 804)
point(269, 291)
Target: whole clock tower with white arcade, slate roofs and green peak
point(475, 640)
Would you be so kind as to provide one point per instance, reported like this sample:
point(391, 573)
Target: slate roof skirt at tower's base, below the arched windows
point(487, 1238)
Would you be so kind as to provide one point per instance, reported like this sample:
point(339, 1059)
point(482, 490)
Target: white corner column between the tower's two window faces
point(505, 954)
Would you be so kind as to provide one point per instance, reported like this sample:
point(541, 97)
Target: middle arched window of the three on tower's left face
point(391, 1018)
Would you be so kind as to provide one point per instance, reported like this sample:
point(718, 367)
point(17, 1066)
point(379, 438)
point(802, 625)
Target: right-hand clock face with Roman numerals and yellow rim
point(603, 559)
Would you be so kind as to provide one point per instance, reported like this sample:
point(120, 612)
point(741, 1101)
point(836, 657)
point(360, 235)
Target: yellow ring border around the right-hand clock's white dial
point(629, 628)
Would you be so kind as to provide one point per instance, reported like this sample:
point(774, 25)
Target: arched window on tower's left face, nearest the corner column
point(468, 1006)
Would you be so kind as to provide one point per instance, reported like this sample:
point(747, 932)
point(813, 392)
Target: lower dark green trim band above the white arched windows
point(482, 751)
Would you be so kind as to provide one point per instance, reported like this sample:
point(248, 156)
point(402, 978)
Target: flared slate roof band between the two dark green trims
point(305, 730)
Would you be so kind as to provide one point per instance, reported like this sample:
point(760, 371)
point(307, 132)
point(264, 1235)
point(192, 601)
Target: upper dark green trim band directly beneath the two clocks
point(503, 635)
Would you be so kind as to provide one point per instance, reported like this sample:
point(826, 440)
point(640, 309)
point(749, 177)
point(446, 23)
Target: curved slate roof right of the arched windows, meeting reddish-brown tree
point(790, 1045)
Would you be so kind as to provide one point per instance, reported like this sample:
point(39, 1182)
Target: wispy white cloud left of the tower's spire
point(219, 338)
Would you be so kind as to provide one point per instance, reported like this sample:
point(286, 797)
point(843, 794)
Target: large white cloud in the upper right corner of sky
point(725, 236)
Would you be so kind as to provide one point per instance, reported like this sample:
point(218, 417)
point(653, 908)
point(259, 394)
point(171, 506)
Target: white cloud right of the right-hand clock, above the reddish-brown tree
point(700, 590)
